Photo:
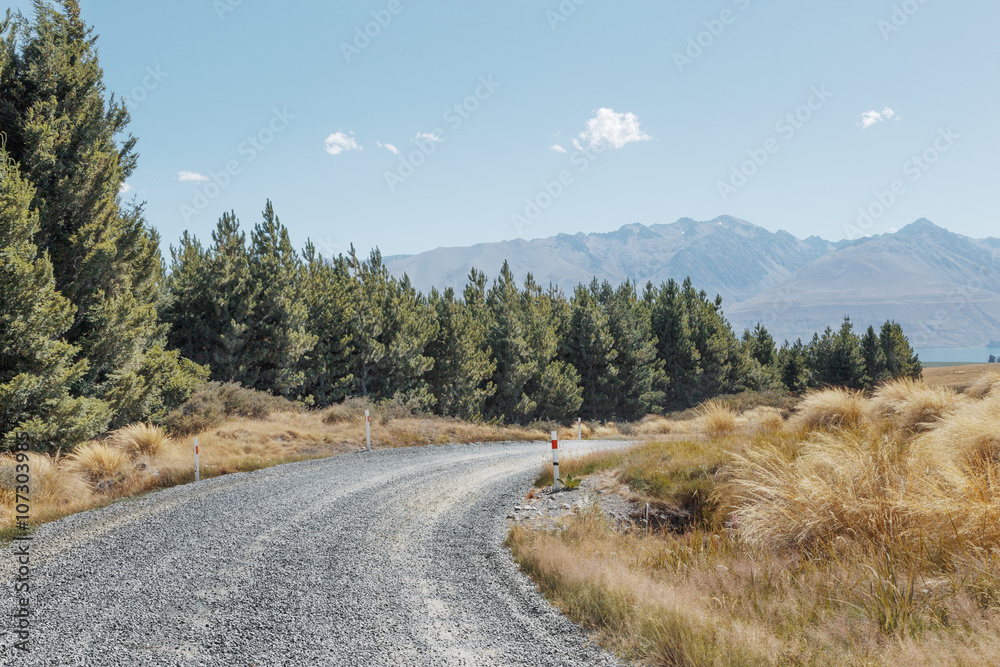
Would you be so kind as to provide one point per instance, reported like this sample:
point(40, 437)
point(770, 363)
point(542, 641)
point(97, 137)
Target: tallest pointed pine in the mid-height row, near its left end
point(277, 338)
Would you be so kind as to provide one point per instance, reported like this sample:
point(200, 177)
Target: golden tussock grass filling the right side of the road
point(861, 530)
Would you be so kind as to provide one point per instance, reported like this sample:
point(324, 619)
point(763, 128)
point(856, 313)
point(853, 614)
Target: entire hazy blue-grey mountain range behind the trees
point(944, 288)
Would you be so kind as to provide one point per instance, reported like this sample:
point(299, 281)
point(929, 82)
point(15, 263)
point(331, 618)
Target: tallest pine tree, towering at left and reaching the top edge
point(105, 258)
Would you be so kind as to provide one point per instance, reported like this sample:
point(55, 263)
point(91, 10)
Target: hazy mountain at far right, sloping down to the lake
point(943, 288)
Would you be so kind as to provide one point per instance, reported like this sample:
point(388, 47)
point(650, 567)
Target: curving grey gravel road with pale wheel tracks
point(384, 558)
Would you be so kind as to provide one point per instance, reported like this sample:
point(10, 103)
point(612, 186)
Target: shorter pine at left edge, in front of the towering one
point(37, 368)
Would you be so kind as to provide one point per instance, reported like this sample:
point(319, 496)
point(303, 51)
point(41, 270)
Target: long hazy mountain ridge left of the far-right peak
point(724, 256)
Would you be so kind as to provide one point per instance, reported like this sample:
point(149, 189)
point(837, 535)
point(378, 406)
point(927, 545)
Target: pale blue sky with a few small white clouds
point(410, 124)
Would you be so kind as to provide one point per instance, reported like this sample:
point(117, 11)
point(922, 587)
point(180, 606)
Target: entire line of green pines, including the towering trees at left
point(96, 333)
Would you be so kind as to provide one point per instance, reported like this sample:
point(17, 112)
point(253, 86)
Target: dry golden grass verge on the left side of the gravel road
point(238, 431)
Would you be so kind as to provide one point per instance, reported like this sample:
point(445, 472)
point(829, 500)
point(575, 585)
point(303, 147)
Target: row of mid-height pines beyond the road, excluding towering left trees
point(320, 329)
